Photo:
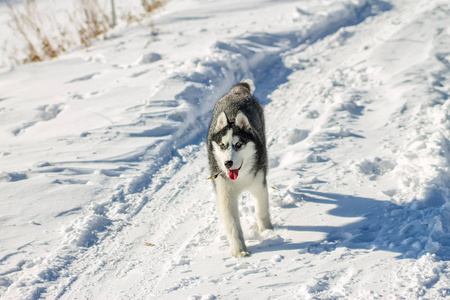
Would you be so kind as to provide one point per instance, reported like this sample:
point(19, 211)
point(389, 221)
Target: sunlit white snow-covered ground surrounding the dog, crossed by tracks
point(103, 164)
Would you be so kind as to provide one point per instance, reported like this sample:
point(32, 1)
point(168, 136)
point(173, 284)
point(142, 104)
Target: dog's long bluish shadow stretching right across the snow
point(380, 225)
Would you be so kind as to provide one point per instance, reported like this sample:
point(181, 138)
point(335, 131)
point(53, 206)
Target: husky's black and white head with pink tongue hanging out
point(233, 143)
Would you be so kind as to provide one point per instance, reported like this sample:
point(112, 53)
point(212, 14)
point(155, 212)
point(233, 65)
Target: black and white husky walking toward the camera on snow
point(238, 160)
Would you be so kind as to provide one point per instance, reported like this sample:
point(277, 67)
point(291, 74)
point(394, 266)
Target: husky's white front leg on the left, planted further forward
point(227, 200)
